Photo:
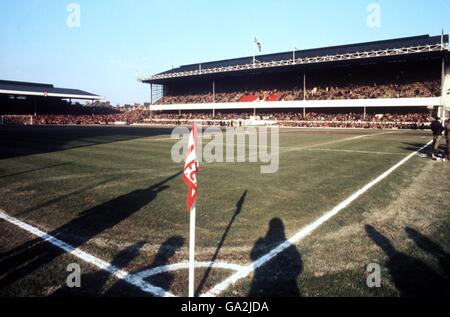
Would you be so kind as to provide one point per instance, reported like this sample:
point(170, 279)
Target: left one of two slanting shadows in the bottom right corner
point(411, 276)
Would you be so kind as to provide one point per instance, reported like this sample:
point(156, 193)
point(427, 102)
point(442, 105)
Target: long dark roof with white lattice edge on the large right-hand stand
point(391, 47)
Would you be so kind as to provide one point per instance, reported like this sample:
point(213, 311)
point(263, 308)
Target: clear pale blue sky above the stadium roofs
point(119, 40)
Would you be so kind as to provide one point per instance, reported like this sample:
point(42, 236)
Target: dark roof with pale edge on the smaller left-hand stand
point(9, 87)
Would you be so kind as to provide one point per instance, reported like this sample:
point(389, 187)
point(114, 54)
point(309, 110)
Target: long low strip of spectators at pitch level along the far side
point(285, 119)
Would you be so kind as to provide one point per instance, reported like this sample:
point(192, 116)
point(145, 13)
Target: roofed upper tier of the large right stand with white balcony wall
point(419, 59)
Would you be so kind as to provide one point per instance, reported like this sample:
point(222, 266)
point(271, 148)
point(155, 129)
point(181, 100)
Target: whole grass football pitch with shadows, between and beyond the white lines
point(115, 193)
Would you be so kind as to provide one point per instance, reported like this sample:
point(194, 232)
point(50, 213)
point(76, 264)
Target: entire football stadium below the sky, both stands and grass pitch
point(358, 186)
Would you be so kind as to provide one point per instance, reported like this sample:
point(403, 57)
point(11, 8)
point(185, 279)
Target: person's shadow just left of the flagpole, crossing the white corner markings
point(163, 280)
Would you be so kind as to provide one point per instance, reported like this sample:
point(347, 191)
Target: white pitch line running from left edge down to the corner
point(88, 258)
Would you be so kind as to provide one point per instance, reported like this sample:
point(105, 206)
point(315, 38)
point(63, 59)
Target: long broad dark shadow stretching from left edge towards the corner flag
point(32, 255)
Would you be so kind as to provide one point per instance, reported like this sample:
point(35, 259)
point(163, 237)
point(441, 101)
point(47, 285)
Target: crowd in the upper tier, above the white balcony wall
point(426, 88)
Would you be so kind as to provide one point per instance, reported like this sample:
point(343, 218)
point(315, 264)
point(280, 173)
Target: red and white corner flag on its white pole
point(190, 178)
